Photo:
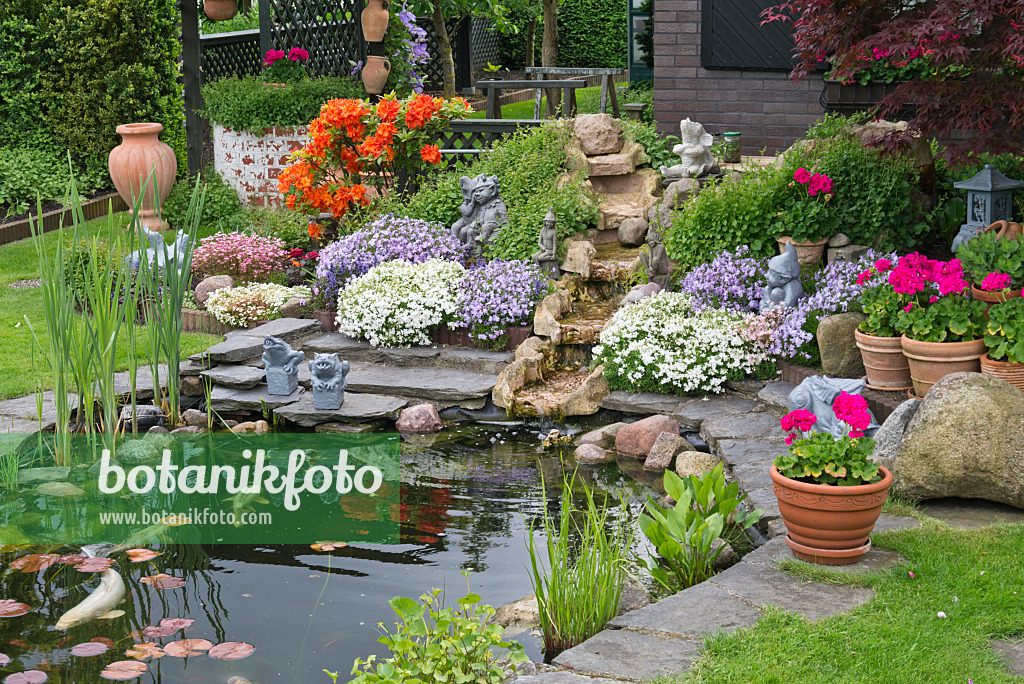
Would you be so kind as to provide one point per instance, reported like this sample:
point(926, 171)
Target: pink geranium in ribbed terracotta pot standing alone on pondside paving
point(830, 492)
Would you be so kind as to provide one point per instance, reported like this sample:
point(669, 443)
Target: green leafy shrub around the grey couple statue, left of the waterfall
point(530, 165)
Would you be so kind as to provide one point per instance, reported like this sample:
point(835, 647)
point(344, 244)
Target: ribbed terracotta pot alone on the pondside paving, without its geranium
point(830, 525)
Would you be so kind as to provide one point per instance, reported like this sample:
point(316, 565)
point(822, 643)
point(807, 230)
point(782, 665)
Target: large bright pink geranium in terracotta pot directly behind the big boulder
point(944, 328)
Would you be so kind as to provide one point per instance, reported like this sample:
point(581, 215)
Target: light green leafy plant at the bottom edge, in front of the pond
point(438, 645)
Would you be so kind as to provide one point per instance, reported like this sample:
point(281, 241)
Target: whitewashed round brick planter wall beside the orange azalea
point(251, 163)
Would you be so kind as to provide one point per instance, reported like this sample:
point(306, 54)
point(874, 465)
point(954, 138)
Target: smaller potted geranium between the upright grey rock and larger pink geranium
point(878, 337)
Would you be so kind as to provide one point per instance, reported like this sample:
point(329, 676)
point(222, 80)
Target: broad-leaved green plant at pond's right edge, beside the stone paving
point(685, 537)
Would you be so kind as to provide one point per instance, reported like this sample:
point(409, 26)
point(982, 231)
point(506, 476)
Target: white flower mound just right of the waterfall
point(660, 345)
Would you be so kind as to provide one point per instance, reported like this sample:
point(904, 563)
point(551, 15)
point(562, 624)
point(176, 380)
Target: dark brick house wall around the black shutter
point(769, 108)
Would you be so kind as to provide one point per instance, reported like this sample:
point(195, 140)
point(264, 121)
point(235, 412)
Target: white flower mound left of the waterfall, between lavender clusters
point(398, 303)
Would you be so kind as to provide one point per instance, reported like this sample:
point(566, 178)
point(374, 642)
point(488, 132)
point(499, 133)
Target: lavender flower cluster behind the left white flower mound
point(387, 239)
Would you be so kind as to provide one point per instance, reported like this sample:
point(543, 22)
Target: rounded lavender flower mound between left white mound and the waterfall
point(497, 295)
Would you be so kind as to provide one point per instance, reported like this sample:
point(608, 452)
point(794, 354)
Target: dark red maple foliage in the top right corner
point(976, 89)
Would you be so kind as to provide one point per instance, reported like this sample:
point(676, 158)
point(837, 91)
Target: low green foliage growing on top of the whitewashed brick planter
point(245, 104)
